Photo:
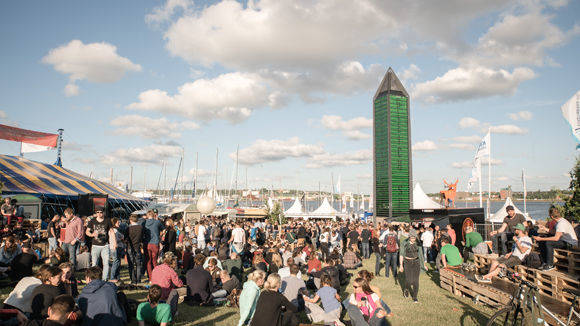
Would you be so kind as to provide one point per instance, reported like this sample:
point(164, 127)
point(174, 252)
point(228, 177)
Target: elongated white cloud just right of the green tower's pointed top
point(471, 83)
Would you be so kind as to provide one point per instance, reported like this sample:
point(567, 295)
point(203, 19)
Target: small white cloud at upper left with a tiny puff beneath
point(95, 62)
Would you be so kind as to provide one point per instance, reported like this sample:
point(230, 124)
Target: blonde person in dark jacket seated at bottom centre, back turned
point(273, 309)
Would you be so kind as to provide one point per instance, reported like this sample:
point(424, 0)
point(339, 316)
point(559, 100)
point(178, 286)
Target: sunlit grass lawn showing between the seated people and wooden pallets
point(436, 306)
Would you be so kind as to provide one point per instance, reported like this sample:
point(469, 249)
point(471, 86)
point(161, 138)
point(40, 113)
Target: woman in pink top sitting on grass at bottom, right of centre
point(368, 303)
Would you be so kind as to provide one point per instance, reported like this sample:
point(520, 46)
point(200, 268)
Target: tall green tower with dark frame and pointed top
point(392, 166)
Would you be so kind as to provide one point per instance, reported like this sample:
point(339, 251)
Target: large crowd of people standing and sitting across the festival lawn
point(273, 274)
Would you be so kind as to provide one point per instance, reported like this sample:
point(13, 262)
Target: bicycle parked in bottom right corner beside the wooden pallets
point(525, 307)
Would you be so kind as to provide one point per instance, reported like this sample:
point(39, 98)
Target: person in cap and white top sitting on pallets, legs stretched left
point(521, 248)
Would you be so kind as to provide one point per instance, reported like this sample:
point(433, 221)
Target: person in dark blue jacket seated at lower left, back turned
point(98, 301)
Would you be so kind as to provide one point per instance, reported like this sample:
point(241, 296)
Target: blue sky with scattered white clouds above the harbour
point(135, 83)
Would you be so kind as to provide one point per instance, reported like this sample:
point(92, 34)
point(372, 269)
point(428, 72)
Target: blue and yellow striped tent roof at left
point(20, 175)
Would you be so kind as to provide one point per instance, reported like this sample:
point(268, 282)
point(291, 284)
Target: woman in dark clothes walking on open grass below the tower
point(411, 261)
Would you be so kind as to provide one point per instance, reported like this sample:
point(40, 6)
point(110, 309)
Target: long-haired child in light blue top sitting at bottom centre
point(330, 302)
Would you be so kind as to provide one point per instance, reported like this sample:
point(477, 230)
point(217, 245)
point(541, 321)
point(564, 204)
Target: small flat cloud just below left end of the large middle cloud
point(137, 125)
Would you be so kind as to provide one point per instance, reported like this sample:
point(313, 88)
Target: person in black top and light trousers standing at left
point(101, 231)
